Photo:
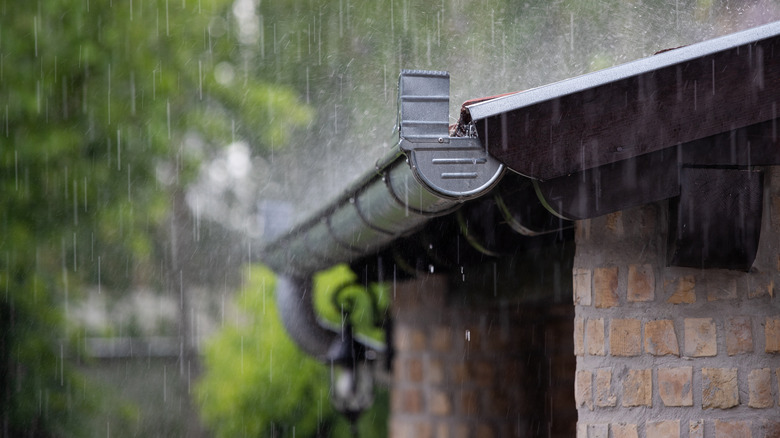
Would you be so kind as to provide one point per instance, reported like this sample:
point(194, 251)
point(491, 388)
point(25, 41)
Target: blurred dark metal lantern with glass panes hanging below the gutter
point(352, 380)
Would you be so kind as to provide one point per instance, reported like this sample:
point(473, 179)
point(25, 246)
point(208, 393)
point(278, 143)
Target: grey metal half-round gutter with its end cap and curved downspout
point(427, 174)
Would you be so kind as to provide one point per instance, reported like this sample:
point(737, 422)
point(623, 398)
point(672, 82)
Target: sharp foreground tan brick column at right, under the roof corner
point(674, 352)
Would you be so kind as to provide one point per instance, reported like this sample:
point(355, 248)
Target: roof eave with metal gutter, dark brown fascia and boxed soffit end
point(641, 132)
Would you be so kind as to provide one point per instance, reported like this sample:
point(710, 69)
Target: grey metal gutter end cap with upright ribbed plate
point(452, 167)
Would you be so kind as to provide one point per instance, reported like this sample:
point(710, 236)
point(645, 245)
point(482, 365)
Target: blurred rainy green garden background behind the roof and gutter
point(141, 141)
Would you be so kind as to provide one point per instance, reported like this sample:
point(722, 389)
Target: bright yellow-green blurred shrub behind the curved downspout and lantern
point(258, 383)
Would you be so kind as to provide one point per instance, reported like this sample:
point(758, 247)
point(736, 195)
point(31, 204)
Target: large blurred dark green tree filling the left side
point(107, 109)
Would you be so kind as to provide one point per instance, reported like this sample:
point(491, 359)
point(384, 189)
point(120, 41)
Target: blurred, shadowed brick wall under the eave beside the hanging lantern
point(487, 370)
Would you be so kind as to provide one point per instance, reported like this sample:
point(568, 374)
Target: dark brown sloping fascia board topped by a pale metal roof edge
point(673, 97)
